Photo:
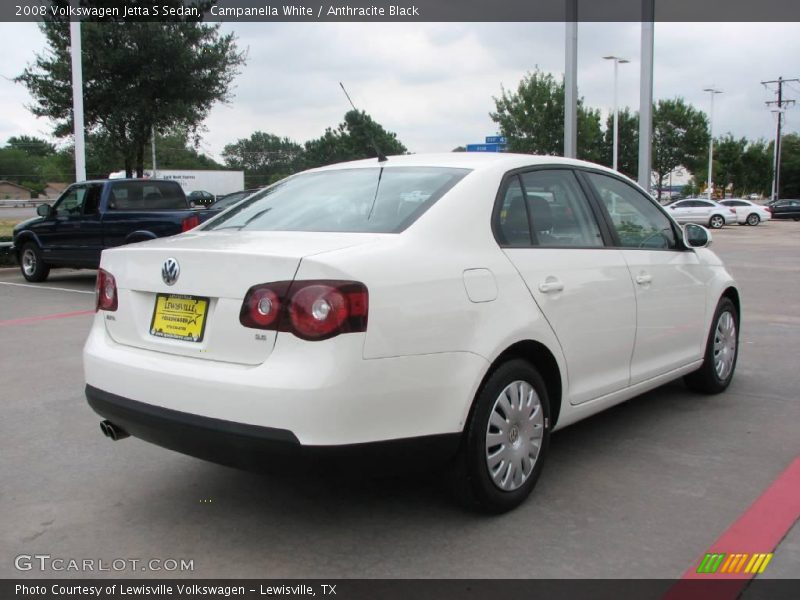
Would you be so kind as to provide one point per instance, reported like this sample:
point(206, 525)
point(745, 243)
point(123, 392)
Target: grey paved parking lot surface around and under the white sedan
point(639, 491)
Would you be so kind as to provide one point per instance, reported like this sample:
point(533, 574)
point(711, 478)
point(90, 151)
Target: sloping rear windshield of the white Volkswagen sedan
point(371, 200)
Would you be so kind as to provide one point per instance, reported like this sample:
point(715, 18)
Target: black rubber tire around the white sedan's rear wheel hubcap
point(473, 483)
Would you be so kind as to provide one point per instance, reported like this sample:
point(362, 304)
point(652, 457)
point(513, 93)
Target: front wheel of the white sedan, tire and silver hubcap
point(722, 350)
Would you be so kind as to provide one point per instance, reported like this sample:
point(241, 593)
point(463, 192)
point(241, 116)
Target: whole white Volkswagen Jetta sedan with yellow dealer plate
point(467, 303)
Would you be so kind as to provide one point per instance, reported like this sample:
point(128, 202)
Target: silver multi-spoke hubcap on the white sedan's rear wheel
point(514, 435)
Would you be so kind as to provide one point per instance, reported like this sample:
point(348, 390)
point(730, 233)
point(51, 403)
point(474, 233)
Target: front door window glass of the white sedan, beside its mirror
point(637, 220)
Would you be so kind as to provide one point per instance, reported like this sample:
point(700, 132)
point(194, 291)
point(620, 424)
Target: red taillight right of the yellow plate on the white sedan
point(311, 310)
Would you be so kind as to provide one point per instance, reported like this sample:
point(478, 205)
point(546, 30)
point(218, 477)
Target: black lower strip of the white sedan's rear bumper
point(254, 447)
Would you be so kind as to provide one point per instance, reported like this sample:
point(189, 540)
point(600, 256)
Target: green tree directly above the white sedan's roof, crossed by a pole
point(532, 119)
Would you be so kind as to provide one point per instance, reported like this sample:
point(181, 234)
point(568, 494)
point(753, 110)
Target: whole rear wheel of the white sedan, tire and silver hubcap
point(505, 440)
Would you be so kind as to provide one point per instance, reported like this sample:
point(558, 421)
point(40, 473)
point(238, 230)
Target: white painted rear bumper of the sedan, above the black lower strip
point(323, 393)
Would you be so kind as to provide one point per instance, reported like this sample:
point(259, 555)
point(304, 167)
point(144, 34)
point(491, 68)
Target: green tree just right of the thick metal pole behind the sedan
point(680, 138)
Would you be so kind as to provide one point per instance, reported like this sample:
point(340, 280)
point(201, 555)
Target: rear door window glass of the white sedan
point(560, 213)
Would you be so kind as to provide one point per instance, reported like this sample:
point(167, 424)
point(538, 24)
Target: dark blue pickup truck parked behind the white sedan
point(93, 215)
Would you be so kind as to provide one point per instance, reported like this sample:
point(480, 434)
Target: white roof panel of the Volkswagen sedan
point(465, 160)
